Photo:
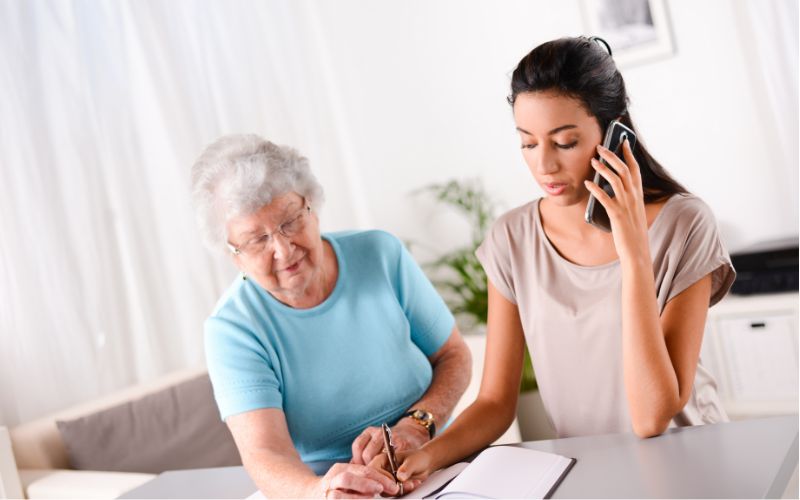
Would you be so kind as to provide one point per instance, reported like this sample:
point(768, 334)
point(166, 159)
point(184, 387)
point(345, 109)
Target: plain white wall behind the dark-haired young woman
point(422, 86)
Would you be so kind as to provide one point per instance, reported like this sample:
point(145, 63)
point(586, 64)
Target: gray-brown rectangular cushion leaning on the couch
point(175, 428)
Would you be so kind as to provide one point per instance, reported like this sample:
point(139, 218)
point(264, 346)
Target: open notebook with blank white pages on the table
point(499, 472)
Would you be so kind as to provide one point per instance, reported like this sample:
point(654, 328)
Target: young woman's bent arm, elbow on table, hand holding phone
point(659, 353)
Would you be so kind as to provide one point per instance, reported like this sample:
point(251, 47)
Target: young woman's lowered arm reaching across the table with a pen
point(493, 411)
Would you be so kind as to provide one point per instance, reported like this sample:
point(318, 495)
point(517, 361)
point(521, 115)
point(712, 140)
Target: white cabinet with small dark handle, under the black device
point(751, 347)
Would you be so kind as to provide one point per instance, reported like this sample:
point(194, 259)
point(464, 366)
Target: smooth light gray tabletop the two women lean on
point(746, 459)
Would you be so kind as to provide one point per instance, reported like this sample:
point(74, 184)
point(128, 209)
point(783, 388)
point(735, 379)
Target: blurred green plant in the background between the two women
point(458, 274)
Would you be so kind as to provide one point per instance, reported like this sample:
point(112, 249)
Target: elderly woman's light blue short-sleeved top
point(357, 359)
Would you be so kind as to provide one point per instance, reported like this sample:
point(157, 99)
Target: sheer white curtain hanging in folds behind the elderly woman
point(103, 279)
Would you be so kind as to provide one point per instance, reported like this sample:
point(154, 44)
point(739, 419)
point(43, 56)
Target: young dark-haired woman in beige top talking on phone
point(614, 321)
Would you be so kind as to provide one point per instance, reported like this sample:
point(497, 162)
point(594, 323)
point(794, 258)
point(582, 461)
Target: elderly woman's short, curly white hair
point(238, 174)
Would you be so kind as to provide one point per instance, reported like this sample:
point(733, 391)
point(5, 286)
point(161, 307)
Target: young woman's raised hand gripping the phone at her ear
point(626, 209)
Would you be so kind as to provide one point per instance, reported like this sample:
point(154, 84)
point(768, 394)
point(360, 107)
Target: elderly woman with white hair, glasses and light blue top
point(323, 337)
